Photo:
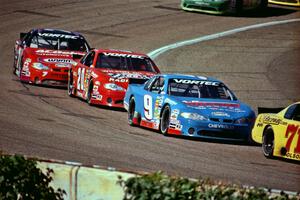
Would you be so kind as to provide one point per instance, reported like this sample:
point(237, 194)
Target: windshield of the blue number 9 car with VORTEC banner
point(199, 89)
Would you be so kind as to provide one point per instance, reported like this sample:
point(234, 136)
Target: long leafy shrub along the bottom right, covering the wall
point(158, 186)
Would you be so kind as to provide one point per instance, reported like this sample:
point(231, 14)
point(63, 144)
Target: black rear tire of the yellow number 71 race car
point(268, 142)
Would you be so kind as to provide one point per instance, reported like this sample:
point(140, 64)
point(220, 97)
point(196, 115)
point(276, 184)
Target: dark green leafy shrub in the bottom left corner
point(21, 179)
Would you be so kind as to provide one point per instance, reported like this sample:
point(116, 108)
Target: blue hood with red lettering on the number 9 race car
point(212, 108)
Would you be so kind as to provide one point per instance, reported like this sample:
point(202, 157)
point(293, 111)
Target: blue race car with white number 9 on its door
point(187, 105)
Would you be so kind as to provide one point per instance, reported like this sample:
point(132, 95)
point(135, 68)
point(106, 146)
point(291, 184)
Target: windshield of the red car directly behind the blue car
point(118, 61)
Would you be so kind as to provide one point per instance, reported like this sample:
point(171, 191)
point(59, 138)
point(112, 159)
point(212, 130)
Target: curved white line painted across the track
point(155, 53)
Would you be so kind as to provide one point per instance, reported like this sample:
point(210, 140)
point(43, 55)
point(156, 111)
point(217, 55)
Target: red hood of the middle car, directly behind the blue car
point(121, 77)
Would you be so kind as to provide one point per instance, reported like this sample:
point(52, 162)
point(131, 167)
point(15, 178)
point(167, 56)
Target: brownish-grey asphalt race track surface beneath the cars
point(260, 65)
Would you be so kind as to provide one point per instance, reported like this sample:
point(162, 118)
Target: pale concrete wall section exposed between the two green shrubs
point(82, 182)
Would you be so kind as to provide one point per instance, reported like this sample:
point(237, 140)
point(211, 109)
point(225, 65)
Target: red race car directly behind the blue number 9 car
point(101, 76)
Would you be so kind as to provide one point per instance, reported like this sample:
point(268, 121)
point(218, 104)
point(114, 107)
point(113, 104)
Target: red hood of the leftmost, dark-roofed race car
point(54, 58)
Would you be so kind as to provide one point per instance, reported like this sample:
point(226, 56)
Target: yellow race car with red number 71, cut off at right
point(279, 133)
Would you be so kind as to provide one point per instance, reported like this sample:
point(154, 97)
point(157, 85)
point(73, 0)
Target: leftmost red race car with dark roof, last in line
point(44, 56)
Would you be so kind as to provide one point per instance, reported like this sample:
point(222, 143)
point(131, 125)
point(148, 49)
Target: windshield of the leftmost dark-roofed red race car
point(59, 42)
